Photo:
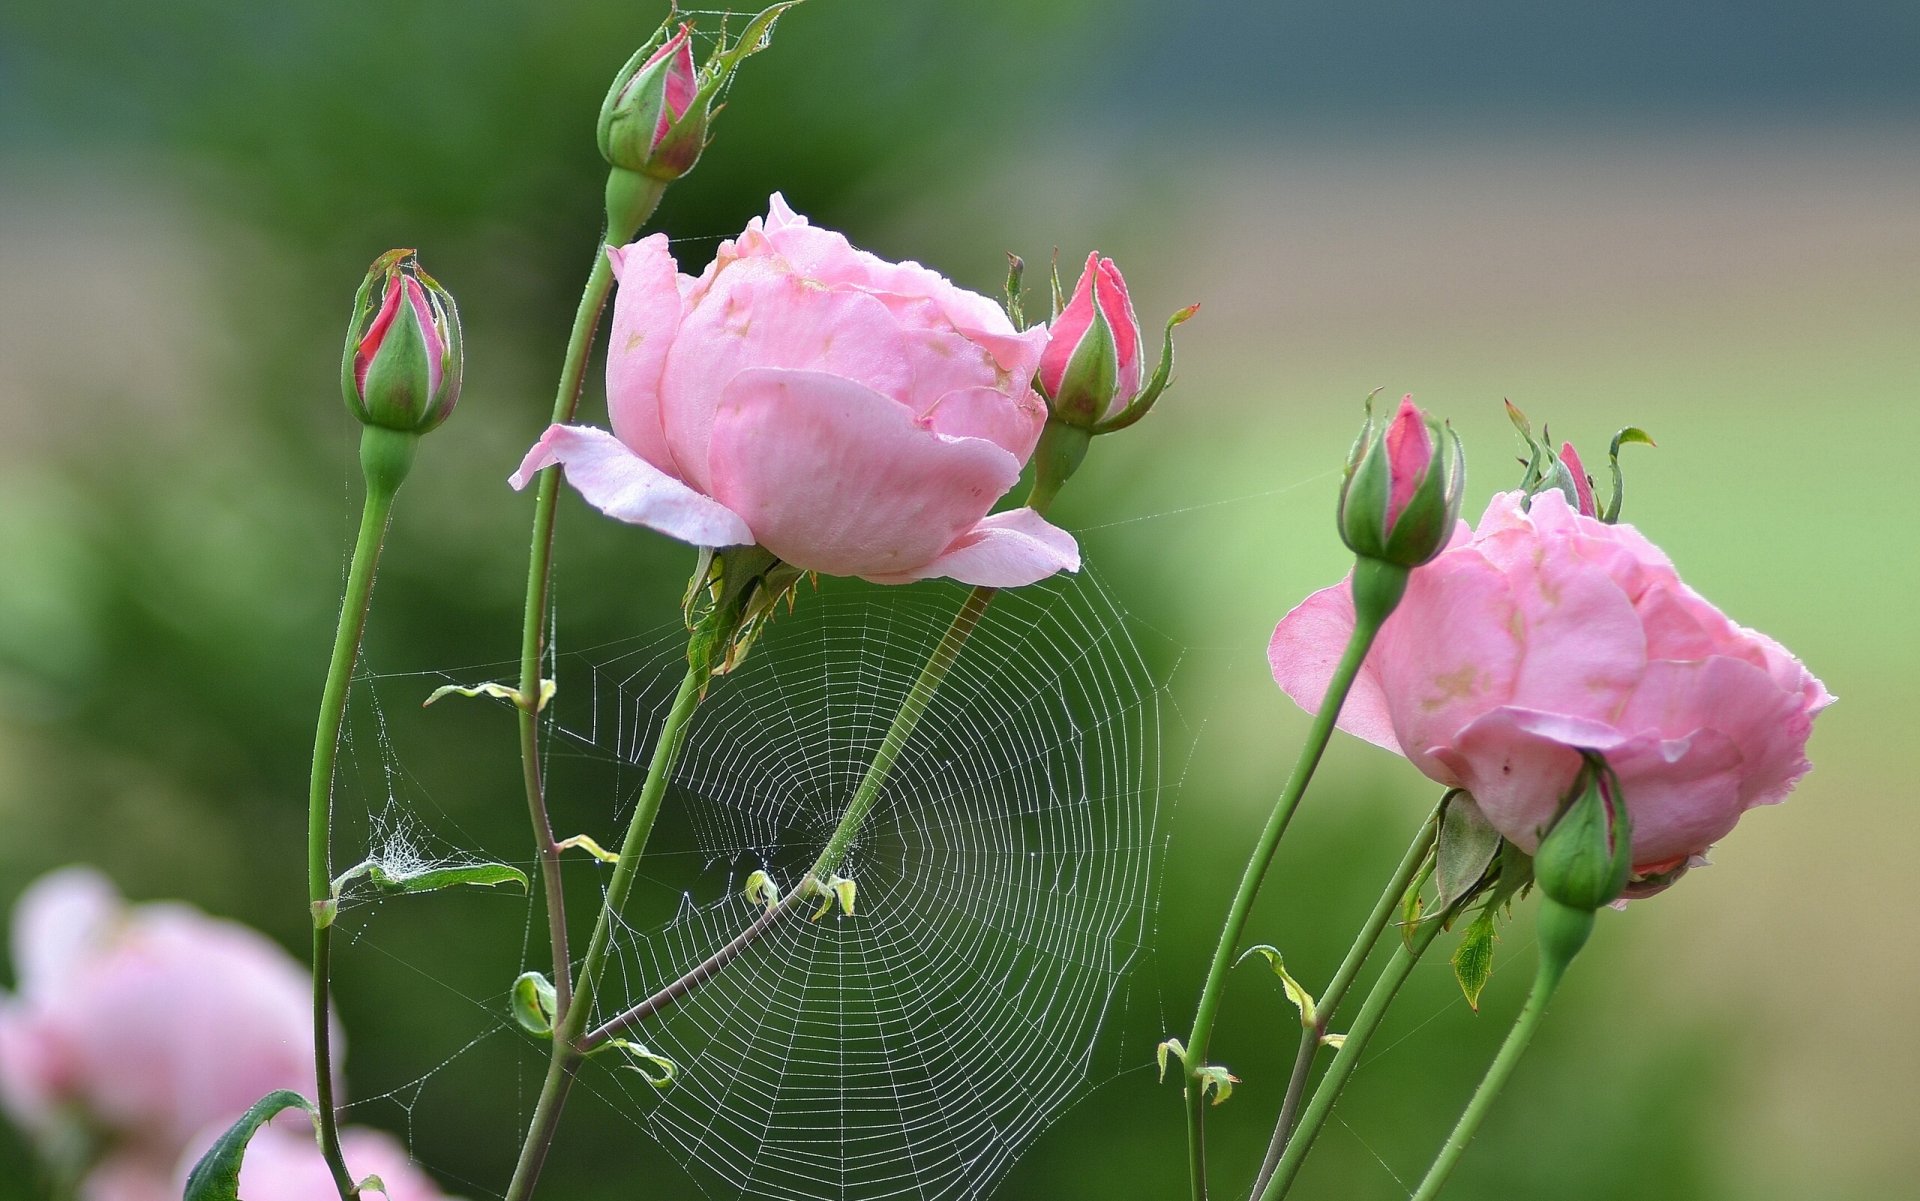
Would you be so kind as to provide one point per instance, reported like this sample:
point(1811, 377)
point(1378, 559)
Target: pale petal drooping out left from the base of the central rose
point(629, 488)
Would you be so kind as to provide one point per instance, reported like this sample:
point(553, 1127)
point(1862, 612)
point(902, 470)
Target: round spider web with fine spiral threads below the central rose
point(1005, 887)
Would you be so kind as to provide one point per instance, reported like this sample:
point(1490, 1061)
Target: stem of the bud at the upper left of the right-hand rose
point(1378, 588)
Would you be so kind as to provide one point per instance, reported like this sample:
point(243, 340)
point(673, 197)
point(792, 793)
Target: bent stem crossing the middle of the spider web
point(913, 709)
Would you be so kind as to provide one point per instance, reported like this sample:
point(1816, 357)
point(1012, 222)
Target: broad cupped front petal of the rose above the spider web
point(842, 481)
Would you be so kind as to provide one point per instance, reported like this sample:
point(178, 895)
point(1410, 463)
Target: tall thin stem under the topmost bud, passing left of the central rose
point(631, 200)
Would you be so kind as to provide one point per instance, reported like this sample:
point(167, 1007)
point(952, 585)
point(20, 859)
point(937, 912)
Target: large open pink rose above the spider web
point(852, 415)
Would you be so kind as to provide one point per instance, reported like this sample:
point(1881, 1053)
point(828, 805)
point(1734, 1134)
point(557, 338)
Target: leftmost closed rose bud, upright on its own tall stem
point(402, 365)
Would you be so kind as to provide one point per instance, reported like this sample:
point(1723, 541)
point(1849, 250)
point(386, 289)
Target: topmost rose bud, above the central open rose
point(644, 124)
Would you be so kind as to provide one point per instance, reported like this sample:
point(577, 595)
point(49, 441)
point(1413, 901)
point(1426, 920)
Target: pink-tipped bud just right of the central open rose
point(1092, 367)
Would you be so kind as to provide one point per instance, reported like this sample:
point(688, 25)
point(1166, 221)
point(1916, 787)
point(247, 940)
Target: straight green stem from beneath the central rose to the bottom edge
point(567, 1050)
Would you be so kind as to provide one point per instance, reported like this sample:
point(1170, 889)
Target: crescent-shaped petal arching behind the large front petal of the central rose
point(759, 314)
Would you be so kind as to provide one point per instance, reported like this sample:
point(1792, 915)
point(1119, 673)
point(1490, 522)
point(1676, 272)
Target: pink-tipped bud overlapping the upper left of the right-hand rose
point(1404, 486)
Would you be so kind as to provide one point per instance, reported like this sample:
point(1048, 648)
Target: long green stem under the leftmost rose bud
point(385, 461)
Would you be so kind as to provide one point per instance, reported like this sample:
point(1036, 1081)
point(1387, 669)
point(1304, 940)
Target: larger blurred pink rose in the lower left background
point(147, 1022)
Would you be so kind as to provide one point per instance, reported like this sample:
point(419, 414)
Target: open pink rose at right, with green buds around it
point(1548, 632)
